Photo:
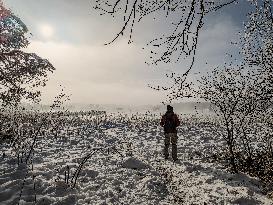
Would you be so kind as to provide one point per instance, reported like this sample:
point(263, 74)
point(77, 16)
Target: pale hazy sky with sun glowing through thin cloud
point(71, 34)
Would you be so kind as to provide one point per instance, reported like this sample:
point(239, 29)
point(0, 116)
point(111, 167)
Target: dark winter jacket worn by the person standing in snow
point(170, 116)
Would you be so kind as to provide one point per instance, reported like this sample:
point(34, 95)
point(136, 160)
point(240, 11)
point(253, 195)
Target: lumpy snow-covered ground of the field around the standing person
point(122, 163)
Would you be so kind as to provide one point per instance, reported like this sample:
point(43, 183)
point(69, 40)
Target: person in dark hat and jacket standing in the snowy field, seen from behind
point(170, 122)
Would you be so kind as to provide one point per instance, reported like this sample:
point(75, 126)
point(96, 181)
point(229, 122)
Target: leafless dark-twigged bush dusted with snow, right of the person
point(242, 100)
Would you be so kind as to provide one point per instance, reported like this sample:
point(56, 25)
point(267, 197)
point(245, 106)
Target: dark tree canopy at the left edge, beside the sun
point(21, 73)
